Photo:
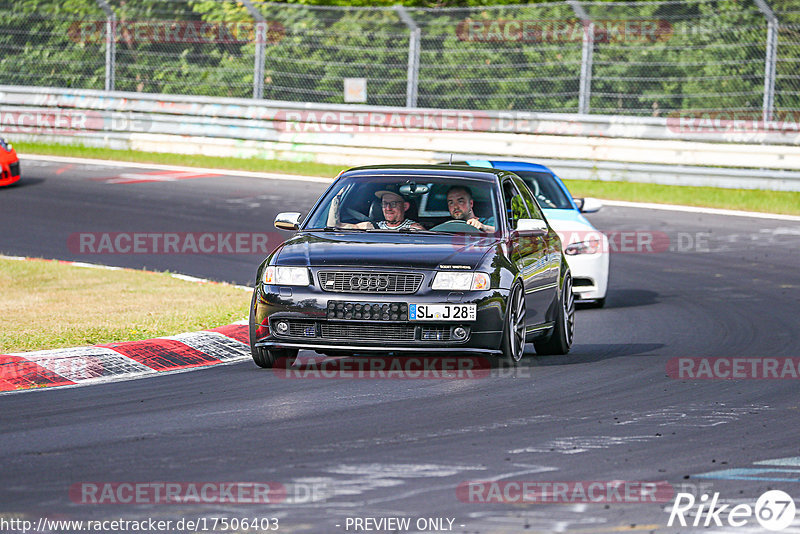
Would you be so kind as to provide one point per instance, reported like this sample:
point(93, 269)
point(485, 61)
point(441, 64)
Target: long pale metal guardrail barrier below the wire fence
point(671, 150)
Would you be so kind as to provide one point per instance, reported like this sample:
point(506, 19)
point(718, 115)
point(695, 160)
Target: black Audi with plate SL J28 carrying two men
point(411, 259)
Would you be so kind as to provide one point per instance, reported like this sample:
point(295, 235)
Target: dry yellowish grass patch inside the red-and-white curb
point(75, 306)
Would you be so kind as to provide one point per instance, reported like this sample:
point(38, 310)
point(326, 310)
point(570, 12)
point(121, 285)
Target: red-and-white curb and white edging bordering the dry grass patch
point(125, 360)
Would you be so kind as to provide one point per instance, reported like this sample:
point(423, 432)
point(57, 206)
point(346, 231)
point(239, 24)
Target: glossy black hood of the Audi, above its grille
point(380, 249)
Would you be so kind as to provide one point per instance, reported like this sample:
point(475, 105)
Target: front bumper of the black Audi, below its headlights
point(306, 311)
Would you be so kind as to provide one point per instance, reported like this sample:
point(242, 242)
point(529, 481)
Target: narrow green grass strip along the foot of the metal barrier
point(711, 197)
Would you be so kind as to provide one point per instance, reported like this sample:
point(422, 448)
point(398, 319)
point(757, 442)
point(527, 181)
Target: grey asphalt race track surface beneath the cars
point(400, 448)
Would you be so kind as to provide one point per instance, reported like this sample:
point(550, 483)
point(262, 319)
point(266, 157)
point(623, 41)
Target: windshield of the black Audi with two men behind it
point(408, 204)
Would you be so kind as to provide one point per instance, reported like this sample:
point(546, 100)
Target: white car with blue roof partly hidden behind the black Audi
point(585, 247)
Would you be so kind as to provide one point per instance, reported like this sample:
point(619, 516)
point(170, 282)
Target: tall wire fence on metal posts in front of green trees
point(652, 58)
